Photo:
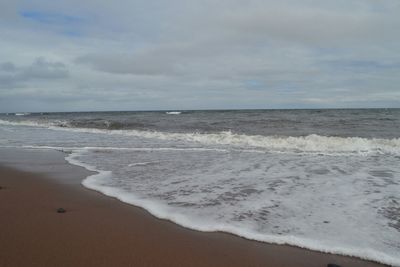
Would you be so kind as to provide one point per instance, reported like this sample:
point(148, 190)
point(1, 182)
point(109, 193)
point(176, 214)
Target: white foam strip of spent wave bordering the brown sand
point(163, 211)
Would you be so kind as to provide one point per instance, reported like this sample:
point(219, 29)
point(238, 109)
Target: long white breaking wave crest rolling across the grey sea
point(298, 144)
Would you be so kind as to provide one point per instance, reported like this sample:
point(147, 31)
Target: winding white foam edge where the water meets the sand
point(91, 182)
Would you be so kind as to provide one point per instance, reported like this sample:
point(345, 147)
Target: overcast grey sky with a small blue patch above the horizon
point(167, 54)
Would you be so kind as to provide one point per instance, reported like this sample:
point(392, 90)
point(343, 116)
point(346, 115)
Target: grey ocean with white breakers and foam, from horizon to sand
point(326, 180)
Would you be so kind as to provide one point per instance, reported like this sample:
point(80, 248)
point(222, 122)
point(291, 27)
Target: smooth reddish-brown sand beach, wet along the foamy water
point(98, 230)
